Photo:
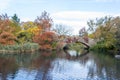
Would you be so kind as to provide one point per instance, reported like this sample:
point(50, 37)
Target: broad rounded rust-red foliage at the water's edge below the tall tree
point(45, 40)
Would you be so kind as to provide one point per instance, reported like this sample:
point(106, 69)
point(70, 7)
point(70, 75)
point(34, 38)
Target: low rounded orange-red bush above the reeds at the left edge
point(7, 38)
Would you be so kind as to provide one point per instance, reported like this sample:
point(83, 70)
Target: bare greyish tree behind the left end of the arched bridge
point(62, 29)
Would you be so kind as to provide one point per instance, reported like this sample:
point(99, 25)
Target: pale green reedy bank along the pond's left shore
point(19, 48)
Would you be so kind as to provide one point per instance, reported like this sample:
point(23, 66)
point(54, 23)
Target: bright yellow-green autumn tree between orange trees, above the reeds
point(29, 30)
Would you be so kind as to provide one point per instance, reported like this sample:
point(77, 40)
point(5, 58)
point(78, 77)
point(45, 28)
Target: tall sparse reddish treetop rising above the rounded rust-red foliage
point(44, 21)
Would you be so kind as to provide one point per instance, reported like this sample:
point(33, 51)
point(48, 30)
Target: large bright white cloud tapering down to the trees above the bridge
point(77, 19)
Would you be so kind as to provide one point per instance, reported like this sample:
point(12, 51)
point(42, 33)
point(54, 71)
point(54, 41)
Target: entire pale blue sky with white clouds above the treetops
point(73, 13)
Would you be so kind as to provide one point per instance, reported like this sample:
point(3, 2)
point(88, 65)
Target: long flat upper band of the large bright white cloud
point(78, 15)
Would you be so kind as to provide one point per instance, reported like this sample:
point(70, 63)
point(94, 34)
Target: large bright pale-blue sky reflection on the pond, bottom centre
point(67, 70)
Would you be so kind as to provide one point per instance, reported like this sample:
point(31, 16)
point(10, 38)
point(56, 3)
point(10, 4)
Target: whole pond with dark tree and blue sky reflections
point(46, 65)
